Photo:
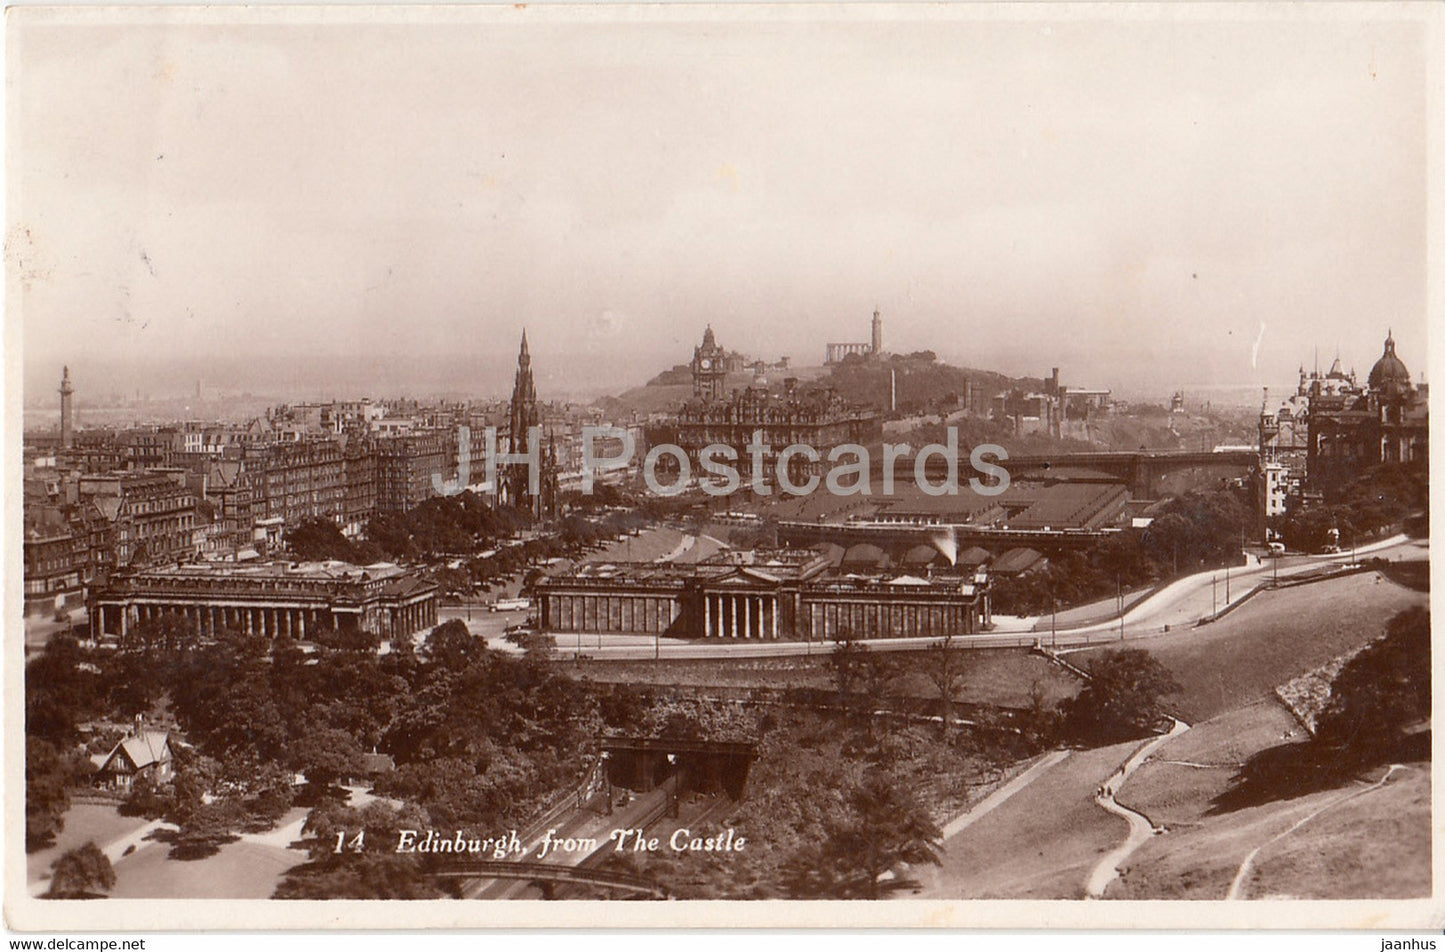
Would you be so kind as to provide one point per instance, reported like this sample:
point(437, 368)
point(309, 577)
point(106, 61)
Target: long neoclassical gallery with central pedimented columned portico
point(771, 596)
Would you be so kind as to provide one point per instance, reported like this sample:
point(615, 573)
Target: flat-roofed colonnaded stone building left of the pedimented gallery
point(294, 600)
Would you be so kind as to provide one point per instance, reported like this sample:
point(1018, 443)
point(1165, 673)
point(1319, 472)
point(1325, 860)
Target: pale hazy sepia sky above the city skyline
point(1131, 200)
